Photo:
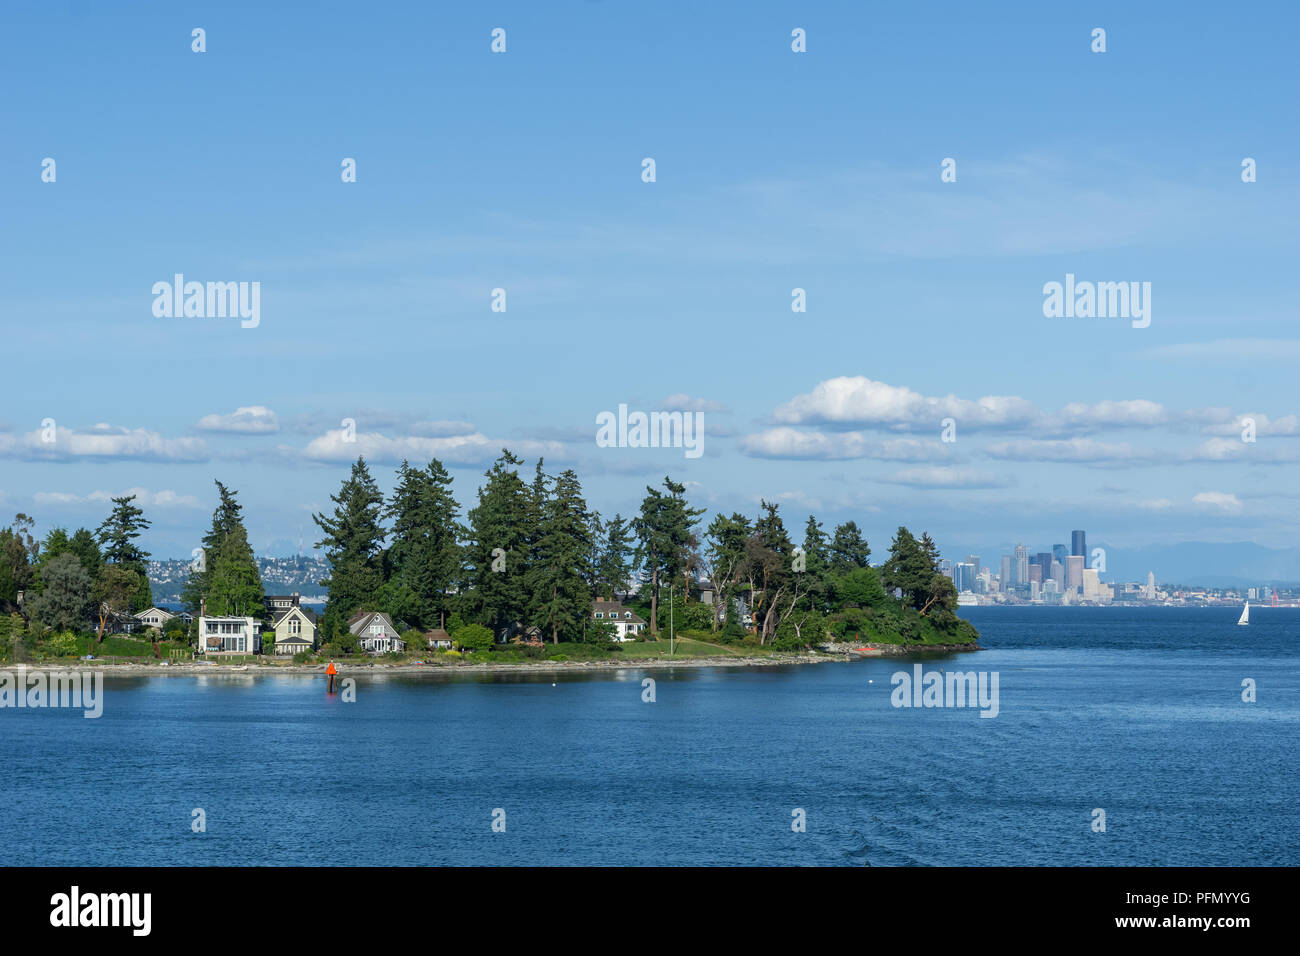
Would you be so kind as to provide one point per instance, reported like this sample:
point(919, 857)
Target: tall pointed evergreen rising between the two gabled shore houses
point(354, 542)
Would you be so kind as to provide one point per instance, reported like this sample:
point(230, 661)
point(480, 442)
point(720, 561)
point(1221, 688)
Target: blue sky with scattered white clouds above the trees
point(774, 171)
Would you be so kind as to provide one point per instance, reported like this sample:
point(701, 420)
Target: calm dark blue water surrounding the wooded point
point(1134, 711)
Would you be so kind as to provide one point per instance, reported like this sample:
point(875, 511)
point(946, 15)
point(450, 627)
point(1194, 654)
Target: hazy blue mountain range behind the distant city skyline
point(1203, 564)
